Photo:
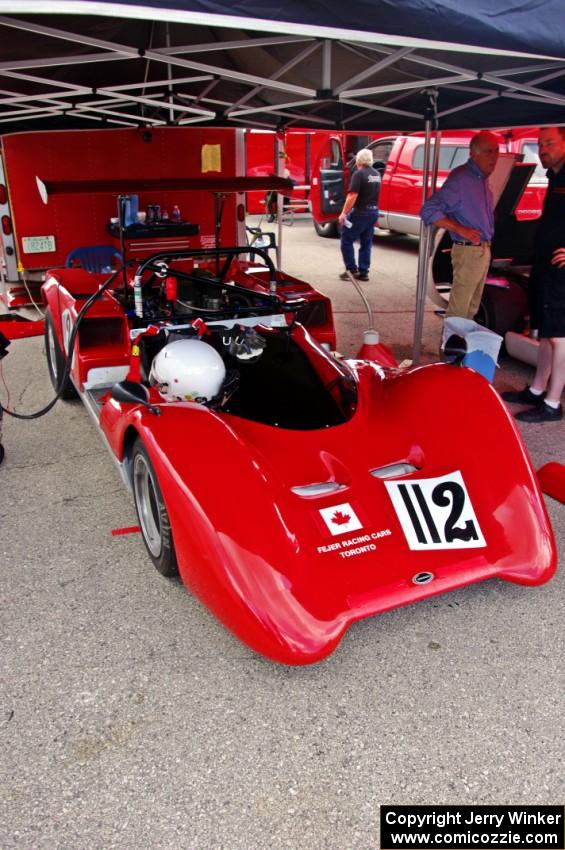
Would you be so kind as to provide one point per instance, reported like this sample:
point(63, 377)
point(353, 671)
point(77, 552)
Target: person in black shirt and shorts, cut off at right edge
point(547, 290)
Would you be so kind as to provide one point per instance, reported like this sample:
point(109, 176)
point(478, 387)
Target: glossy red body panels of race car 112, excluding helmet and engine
point(287, 568)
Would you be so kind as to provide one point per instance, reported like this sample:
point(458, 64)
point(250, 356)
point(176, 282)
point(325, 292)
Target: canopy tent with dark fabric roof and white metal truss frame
point(378, 65)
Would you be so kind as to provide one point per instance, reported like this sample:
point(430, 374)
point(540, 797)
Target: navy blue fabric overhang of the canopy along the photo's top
point(534, 27)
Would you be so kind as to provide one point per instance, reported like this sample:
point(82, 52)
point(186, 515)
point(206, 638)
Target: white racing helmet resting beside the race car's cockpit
point(188, 370)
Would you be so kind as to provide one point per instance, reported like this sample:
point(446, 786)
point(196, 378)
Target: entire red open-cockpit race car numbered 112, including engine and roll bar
point(293, 491)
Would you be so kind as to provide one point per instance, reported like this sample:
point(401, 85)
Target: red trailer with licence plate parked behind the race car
point(150, 165)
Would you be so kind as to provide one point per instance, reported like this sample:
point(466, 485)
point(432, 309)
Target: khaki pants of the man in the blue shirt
point(470, 265)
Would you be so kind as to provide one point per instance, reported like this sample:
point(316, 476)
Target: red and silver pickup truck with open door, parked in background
point(400, 160)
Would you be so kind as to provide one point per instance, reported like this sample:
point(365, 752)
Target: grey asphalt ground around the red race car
point(130, 719)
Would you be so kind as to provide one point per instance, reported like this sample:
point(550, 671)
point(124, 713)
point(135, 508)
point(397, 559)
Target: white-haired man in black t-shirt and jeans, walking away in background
point(359, 216)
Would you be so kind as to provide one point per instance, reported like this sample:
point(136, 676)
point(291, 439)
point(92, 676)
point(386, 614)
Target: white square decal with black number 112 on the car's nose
point(436, 513)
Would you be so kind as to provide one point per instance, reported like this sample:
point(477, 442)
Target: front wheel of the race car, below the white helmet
point(152, 513)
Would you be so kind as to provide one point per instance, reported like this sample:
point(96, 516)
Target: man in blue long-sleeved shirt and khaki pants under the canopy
point(464, 206)
